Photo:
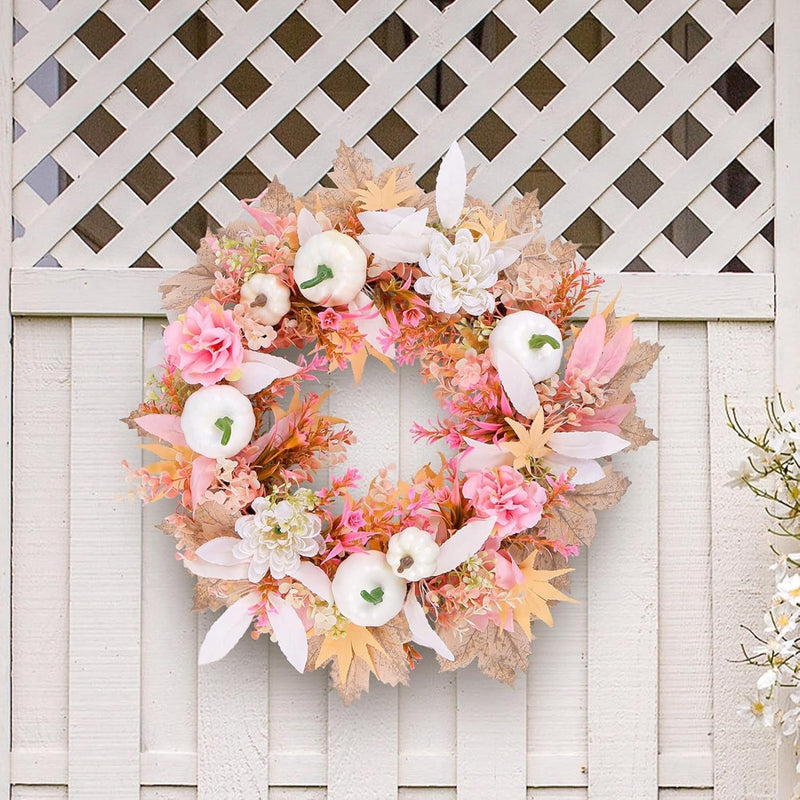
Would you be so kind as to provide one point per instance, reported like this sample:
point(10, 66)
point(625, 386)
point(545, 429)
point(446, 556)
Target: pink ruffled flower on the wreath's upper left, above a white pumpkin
point(204, 343)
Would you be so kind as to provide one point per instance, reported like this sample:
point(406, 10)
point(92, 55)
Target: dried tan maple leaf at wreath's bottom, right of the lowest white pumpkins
point(499, 652)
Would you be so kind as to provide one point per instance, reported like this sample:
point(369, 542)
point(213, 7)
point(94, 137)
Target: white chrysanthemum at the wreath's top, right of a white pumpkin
point(458, 275)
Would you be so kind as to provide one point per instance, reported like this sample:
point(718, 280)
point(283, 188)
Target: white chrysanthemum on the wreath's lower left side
point(278, 534)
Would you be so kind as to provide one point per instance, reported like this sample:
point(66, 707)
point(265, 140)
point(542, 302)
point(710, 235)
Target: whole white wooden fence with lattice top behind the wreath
point(650, 127)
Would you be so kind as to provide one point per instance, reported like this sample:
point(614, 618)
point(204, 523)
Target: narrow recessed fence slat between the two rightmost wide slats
point(685, 660)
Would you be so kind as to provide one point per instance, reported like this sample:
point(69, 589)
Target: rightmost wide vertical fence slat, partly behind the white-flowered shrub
point(739, 366)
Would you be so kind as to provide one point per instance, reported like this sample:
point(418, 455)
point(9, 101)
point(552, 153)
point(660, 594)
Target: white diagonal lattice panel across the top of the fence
point(646, 125)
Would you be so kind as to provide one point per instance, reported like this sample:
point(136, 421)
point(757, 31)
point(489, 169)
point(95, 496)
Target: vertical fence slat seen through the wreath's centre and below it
point(369, 726)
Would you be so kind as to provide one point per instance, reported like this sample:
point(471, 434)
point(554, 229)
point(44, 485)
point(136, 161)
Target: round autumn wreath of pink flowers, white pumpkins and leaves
point(461, 556)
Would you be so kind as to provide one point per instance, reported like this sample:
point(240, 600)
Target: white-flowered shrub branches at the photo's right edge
point(771, 471)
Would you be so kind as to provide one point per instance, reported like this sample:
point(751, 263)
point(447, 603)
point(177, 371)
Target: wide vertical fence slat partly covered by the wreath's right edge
point(623, 623)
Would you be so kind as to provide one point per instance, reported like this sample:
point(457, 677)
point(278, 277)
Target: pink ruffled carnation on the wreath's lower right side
point(505, 494)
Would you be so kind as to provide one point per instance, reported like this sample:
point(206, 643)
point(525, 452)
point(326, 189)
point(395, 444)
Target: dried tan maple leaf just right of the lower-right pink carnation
point(575, 522)
